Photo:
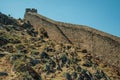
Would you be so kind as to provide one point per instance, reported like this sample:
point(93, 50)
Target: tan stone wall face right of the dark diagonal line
point(103, 46)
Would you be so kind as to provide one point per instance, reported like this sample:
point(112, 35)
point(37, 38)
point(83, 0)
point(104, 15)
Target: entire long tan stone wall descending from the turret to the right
point(106, 46)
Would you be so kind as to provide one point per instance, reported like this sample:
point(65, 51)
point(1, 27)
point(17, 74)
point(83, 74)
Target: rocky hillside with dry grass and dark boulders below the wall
point(30, 53)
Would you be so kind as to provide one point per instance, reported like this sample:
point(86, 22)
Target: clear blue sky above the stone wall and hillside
point(103, 15)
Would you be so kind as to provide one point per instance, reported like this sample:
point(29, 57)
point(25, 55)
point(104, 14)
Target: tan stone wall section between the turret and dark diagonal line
point(52, 30)
